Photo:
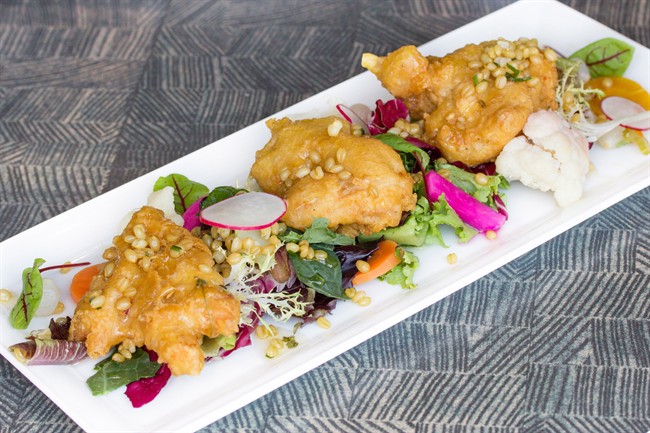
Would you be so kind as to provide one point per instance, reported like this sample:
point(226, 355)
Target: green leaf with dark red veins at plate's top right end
point(606, 57)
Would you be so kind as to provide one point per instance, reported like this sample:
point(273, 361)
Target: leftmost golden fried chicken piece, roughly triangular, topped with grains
point(159, 290)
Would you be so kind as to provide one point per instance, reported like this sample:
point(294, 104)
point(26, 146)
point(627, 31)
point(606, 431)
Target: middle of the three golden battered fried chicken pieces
point(358, 183)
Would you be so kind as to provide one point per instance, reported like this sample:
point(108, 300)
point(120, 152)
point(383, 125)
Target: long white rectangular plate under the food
point(189, 403)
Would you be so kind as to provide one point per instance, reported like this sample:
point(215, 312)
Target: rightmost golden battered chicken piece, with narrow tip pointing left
point(474, 100)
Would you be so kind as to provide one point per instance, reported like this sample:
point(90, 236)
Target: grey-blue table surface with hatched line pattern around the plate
point(93, 94)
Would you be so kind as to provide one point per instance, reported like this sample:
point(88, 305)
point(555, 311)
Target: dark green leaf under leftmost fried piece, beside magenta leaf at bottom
point(112, 375)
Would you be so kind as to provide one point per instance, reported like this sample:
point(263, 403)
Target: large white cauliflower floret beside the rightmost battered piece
point(551, 157)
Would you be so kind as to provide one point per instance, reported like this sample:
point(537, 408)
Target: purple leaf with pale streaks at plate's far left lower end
point(49, 352)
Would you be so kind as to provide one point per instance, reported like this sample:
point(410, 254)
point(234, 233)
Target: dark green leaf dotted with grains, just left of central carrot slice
point(324, 276)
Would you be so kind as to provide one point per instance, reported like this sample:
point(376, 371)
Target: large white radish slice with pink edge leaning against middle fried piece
point(250, 211)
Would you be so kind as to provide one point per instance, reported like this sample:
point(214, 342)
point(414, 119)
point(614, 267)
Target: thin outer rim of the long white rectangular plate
point(208, 411)
